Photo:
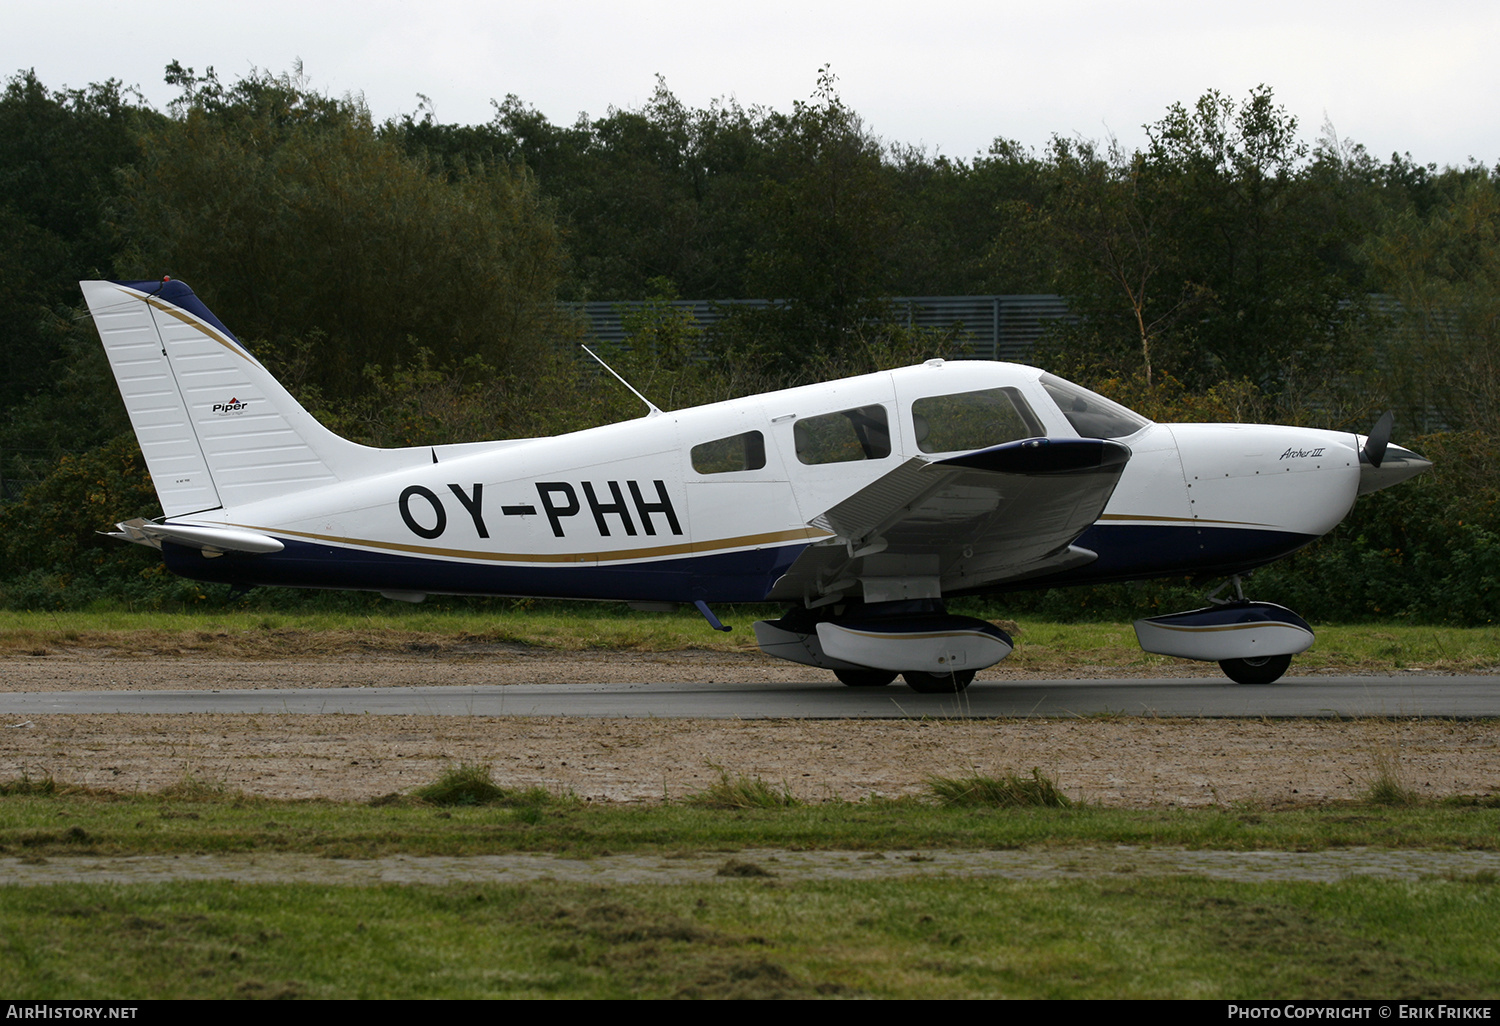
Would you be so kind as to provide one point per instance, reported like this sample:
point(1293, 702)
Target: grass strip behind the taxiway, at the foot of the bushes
point(1045, 649)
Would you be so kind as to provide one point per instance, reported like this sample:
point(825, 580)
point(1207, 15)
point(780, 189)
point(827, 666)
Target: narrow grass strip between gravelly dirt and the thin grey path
point(80, 824)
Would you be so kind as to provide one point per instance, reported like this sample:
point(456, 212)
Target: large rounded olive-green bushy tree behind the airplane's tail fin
point(290, 212)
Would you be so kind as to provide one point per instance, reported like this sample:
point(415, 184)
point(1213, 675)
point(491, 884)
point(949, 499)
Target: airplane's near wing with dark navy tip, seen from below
point(971, 521)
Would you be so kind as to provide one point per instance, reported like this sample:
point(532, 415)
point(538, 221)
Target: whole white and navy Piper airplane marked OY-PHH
point(862, 505)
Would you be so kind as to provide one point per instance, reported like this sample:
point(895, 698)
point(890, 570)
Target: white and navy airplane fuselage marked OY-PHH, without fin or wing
point(623, 512)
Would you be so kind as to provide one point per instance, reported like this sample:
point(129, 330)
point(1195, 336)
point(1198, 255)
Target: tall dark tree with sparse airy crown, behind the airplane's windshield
point(1217, 251)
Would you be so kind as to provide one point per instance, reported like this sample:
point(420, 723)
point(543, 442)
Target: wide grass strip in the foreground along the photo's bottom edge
point(757, 938)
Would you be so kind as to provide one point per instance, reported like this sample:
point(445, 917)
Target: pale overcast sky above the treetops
point(944, 74)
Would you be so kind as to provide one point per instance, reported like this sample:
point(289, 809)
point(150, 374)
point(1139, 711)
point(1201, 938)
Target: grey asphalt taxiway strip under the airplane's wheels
point(1391, 697)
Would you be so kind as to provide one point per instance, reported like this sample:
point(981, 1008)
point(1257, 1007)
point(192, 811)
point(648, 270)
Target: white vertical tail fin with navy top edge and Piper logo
point(215, 427)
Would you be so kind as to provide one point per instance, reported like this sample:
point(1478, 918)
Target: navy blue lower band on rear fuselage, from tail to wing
point(719, 577)
